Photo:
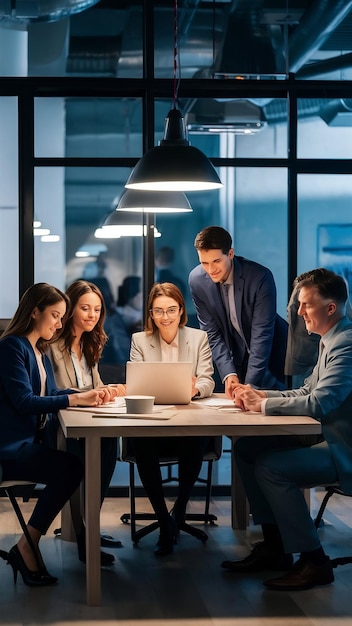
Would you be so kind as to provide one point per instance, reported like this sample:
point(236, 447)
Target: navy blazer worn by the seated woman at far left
point(20, 402)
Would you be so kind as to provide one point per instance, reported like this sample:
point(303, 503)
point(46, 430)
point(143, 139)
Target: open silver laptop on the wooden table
point(169, 382)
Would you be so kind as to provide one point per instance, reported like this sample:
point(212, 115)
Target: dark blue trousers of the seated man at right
point(274, 471)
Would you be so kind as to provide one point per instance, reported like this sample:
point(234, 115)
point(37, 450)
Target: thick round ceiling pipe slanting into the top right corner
point(315, 27)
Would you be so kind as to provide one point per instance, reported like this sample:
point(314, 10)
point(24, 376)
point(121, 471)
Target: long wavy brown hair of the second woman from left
point(94, 341)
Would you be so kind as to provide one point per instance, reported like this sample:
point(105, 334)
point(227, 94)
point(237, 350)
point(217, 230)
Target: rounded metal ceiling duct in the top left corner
point(14, 12)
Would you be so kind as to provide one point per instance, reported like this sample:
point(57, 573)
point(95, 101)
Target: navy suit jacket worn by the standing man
point(258, 355)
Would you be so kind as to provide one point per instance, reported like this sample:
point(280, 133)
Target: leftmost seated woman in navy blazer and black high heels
point(27, 395)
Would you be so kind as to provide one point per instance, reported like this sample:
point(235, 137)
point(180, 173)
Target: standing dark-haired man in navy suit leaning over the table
point(235, 300)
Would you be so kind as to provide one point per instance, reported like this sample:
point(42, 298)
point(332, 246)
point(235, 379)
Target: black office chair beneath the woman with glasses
point(213, 453)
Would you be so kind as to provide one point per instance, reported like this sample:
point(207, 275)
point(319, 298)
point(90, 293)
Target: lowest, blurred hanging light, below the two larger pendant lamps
point(119, 224)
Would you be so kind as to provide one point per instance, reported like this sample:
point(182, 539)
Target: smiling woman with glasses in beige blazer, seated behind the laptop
point(166, 338)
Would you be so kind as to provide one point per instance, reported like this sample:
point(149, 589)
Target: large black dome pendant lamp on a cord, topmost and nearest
point(174, 165)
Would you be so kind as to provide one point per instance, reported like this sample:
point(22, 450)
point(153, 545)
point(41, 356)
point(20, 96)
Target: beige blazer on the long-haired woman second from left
point(64, 371)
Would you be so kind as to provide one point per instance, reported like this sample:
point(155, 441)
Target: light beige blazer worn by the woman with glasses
point(193, 346)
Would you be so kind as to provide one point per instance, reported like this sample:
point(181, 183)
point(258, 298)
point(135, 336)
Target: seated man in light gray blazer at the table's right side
point(274, 470)
